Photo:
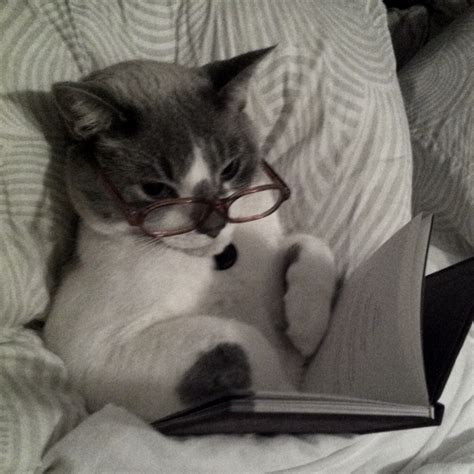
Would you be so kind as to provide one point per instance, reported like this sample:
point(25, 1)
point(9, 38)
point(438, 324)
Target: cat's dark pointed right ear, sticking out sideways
point(230, 77)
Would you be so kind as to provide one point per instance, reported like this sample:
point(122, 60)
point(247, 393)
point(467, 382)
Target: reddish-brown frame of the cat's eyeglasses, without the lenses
point(137, 216)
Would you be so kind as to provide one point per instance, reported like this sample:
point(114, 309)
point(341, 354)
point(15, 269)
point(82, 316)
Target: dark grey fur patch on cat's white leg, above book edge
point(223, 368)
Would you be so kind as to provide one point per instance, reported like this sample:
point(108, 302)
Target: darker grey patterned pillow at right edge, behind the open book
point(437, 86)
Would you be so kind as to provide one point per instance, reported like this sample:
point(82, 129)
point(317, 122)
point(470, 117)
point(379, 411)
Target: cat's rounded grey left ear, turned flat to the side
point(86, 109)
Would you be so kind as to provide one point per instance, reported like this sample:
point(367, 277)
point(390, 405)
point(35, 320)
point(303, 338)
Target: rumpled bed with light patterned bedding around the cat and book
point(360, 157)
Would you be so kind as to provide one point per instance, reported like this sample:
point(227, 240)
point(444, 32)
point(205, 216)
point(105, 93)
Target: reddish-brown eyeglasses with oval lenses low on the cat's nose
point(173, 216)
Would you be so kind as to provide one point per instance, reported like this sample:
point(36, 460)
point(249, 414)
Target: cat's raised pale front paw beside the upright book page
point(311, 281)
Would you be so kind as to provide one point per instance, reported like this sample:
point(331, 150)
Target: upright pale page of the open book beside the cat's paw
point(373, 348)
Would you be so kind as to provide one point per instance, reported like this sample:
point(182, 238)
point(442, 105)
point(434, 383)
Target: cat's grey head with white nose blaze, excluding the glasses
point(159, 130)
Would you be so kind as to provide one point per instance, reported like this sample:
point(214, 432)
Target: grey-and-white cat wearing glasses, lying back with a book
point(155, 320)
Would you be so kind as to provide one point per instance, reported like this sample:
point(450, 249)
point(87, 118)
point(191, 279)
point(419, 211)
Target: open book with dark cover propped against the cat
point(392, 342)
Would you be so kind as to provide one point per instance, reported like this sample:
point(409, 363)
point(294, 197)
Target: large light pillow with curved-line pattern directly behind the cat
point(328, 110)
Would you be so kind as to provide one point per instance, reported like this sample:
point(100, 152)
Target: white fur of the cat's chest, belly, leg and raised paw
point(130, 318)
